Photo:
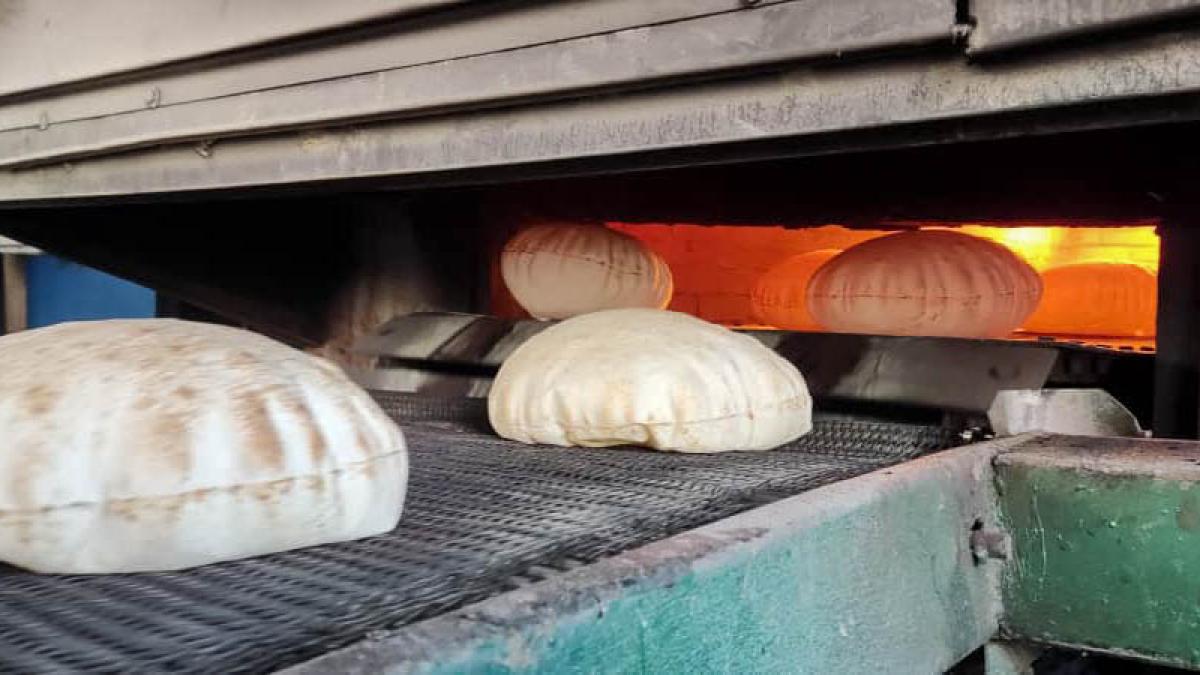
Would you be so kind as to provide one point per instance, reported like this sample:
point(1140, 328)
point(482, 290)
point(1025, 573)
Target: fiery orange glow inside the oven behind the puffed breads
point(1099, 283)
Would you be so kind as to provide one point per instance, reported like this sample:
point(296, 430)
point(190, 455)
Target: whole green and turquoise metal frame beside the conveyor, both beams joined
point(899, 571)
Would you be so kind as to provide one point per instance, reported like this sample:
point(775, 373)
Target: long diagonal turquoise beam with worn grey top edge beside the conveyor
point(873, 575)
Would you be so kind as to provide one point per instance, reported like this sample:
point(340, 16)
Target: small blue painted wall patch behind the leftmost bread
point(64, 291)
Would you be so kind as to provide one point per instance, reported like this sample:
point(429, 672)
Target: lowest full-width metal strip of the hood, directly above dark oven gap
point(802, 104)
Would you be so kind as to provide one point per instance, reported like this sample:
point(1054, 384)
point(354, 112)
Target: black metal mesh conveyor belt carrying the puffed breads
point(483, 517)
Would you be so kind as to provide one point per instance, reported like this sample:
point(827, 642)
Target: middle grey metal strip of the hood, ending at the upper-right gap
point(635, 57)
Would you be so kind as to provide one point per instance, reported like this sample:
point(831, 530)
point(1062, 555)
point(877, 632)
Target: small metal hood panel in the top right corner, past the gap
point(1003, 25)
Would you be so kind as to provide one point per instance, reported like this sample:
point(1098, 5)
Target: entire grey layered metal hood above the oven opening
point(440, 92)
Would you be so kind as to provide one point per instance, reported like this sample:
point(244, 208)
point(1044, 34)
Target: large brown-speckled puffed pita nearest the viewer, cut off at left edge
point(161, 445)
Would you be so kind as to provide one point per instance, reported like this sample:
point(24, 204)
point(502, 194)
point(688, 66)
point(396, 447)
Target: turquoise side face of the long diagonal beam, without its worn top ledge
point(818, 605)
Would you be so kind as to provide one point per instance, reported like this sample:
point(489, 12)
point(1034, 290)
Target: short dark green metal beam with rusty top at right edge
point(1107, 543)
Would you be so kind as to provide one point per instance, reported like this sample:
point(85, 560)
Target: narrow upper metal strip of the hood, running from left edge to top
point(496, 28)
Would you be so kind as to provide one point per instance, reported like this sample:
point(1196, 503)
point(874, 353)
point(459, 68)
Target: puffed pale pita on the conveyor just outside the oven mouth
point(649, 378)
